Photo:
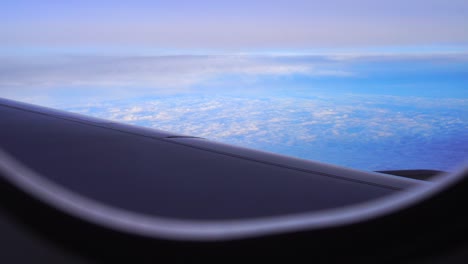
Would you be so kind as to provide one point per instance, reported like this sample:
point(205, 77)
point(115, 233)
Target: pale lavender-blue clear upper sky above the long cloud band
point(238, 25)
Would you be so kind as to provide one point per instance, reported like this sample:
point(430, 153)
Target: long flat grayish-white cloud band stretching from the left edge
point(155, 72)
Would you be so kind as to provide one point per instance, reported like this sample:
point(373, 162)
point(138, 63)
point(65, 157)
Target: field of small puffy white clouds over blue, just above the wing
point(385, 132)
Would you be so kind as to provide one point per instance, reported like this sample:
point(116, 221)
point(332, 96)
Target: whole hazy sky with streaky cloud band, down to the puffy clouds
point(119, 49)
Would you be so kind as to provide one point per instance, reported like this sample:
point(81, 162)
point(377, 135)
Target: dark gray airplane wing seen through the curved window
point(167, 175)
